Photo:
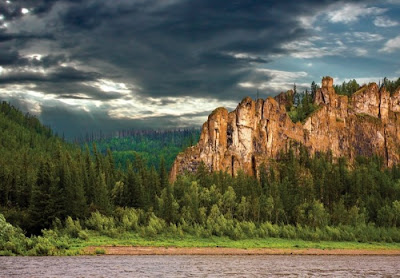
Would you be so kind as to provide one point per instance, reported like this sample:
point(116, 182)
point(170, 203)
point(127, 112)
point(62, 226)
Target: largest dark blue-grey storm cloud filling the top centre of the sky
point(183, 48)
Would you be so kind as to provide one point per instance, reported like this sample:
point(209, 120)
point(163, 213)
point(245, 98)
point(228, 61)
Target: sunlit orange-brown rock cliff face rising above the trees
point(367, 123)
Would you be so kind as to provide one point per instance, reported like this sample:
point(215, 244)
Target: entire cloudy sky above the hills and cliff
point(92, 65)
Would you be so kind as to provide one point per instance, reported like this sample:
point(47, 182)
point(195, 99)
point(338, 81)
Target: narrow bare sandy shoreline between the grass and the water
point(146, 250)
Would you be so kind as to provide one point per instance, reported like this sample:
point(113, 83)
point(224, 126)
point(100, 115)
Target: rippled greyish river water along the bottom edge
point(201, 266)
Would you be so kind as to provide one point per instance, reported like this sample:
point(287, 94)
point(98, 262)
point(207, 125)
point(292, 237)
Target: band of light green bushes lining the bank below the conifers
point(127, 222)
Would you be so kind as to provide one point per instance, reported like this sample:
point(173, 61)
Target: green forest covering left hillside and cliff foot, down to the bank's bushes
point(52, 191)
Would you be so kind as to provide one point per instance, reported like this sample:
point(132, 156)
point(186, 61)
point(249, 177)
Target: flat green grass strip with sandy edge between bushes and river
point(100, 244)
